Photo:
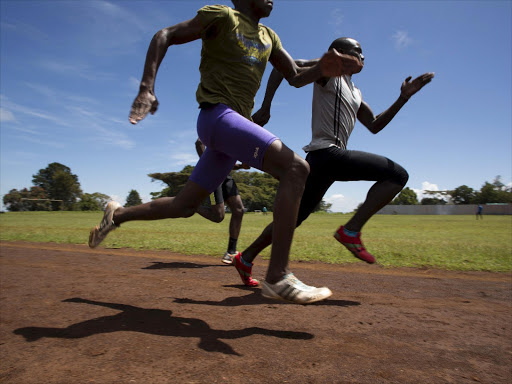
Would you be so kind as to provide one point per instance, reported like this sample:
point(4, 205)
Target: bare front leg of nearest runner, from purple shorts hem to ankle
point(291, 171)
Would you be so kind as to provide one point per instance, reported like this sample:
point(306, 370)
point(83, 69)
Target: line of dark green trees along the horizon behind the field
point(57, 188)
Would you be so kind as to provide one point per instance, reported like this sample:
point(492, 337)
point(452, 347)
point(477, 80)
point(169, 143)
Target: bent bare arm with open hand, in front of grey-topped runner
point(376, 123)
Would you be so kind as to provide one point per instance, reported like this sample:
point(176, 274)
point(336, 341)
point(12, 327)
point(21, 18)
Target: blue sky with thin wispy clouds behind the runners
point(69, 71)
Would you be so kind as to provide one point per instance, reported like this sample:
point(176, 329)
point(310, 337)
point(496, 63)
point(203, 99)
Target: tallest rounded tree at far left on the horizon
point(59, 184)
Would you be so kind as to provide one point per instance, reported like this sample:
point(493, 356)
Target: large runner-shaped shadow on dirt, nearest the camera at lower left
point(155, 322)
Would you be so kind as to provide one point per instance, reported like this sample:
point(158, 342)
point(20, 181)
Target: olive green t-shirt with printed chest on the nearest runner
point(234, 55)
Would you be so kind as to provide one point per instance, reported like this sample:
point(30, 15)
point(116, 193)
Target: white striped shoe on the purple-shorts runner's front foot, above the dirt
point(292, 289)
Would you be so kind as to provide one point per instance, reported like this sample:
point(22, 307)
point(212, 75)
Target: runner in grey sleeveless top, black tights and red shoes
point(337, 103)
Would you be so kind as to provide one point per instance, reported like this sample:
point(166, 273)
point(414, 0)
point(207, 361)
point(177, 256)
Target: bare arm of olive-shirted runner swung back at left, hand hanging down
point(146, 101)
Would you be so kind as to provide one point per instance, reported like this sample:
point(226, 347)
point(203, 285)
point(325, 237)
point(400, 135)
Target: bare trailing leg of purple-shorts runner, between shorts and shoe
point(183, 205)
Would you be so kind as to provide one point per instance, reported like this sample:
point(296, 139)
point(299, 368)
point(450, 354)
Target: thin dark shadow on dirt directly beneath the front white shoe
point(255, 298)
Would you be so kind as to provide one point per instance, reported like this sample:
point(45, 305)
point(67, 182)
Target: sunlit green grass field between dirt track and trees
point(435, 241)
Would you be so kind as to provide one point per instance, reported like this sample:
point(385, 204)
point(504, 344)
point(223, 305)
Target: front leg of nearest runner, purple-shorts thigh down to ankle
point(243, 140)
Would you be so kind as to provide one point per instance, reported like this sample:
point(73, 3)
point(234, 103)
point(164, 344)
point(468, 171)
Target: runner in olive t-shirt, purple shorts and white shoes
point(236, 48)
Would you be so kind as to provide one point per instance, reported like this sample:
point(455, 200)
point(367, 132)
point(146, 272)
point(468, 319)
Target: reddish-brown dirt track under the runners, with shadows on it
point(74, 315)
